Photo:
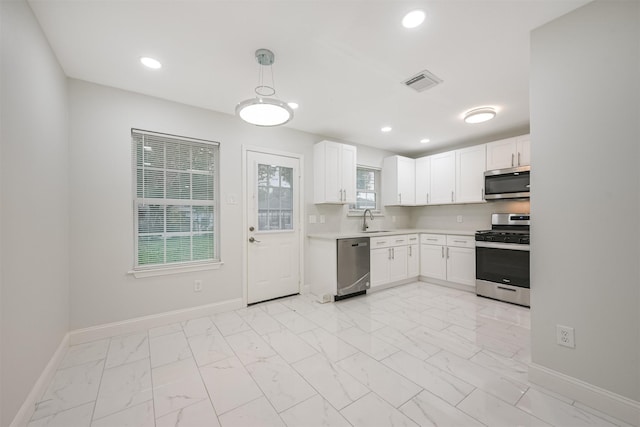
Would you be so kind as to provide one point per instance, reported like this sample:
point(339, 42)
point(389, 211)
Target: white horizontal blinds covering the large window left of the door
point(175, 199)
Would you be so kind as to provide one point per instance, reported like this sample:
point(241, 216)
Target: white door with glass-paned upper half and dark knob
point(273, 220)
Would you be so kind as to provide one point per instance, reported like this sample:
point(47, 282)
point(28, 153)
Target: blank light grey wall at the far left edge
point(33, 205)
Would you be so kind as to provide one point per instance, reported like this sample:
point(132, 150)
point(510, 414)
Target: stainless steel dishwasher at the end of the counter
point(353, 267)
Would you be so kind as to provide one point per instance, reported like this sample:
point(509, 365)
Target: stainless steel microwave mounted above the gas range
point(512, 183)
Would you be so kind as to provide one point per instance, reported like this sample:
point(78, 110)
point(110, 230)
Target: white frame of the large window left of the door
point(146, 270)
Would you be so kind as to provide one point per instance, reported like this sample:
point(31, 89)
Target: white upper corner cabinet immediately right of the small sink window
point(399, 181)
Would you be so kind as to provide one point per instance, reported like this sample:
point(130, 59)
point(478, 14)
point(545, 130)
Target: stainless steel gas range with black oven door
point(502, 259)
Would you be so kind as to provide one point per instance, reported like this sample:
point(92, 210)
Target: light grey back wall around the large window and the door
point(101, 204)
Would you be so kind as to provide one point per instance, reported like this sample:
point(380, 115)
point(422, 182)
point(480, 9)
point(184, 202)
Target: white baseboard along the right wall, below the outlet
point(610, 403)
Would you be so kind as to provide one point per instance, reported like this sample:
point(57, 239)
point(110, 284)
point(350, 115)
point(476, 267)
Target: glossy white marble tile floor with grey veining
point(413, 355)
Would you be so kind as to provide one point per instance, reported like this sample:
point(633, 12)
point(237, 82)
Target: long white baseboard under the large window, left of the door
point(107, 330)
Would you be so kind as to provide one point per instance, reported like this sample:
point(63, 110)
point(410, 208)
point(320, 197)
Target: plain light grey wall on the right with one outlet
point(586, 208)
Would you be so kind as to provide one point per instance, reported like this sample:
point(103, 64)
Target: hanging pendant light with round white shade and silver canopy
point(264, 109)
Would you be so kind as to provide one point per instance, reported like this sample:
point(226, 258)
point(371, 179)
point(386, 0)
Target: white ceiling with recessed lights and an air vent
point(343, 61)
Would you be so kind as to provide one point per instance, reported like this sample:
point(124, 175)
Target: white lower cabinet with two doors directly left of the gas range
point(448, 257)
